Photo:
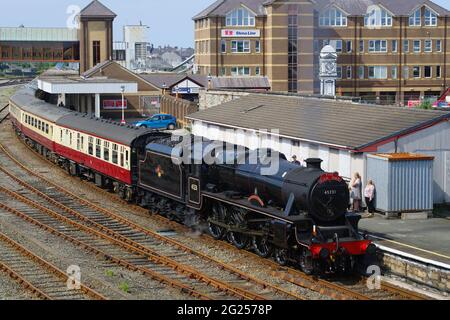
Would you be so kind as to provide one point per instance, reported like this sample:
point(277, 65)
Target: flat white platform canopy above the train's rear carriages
point(79, 85)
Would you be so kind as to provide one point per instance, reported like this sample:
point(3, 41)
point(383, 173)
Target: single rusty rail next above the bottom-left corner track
point(121, 262)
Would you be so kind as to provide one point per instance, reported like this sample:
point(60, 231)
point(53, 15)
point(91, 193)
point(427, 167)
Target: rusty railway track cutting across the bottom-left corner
point(38, 276)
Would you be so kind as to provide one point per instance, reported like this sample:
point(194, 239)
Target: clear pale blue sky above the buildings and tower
point(170, 21)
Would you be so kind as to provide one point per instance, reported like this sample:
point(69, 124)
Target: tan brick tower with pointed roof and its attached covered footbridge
point(89, 45)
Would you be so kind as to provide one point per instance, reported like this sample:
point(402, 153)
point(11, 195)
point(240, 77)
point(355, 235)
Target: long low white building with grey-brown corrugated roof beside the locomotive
point(341, 133)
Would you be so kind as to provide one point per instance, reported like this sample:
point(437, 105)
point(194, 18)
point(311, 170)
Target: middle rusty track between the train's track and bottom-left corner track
point(199, 273)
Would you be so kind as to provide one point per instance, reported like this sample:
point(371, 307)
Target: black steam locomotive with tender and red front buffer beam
point(297, 214)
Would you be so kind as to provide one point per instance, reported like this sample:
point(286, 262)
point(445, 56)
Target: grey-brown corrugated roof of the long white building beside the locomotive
point(322, 121)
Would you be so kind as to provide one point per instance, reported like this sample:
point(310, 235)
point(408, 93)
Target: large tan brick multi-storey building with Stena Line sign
point(392, 51)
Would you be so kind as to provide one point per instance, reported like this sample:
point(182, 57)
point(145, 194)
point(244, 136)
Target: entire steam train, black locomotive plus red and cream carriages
point(298, 214)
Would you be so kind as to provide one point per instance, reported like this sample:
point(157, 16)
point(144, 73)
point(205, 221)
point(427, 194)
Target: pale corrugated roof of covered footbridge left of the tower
point(39, 34)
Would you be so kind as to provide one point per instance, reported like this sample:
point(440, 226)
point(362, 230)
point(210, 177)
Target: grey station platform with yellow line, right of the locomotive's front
point(426, 241)
